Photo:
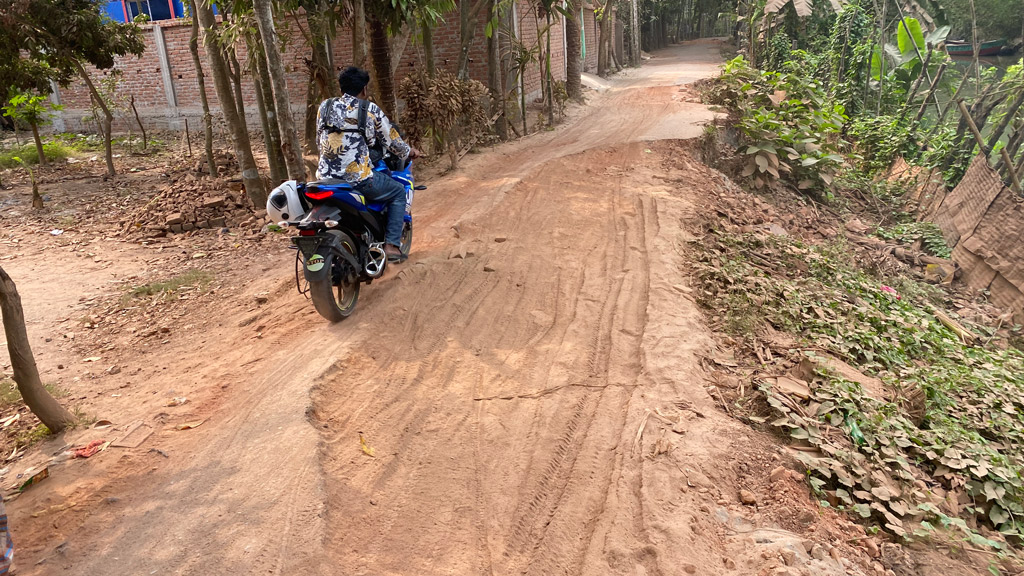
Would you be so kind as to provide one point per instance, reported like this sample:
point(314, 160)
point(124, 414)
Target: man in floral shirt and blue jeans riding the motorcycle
point(346, 151)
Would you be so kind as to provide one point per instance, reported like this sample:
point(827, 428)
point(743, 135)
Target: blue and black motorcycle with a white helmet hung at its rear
point(340, 242)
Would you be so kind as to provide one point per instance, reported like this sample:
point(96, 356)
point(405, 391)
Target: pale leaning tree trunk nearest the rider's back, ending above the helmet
point(289, 137)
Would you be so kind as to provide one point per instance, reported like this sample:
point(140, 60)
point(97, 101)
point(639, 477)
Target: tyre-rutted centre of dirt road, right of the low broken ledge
point(505, 381)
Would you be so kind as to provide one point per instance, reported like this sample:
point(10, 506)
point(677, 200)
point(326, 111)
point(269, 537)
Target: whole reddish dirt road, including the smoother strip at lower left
point(529, 385)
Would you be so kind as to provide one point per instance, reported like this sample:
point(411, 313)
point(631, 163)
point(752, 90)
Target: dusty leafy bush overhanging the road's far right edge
point(791, 130)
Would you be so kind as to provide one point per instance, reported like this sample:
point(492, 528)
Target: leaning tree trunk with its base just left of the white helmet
point(236, 125)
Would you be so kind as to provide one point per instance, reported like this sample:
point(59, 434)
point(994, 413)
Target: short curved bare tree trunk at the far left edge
point(45, 406)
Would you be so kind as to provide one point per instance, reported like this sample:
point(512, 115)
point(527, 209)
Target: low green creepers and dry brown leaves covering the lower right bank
point(881, 460)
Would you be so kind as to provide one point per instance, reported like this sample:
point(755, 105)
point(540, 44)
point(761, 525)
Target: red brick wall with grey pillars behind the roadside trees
point(145, 76)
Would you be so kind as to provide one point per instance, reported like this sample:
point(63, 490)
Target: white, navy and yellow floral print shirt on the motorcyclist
point(346, 156)
